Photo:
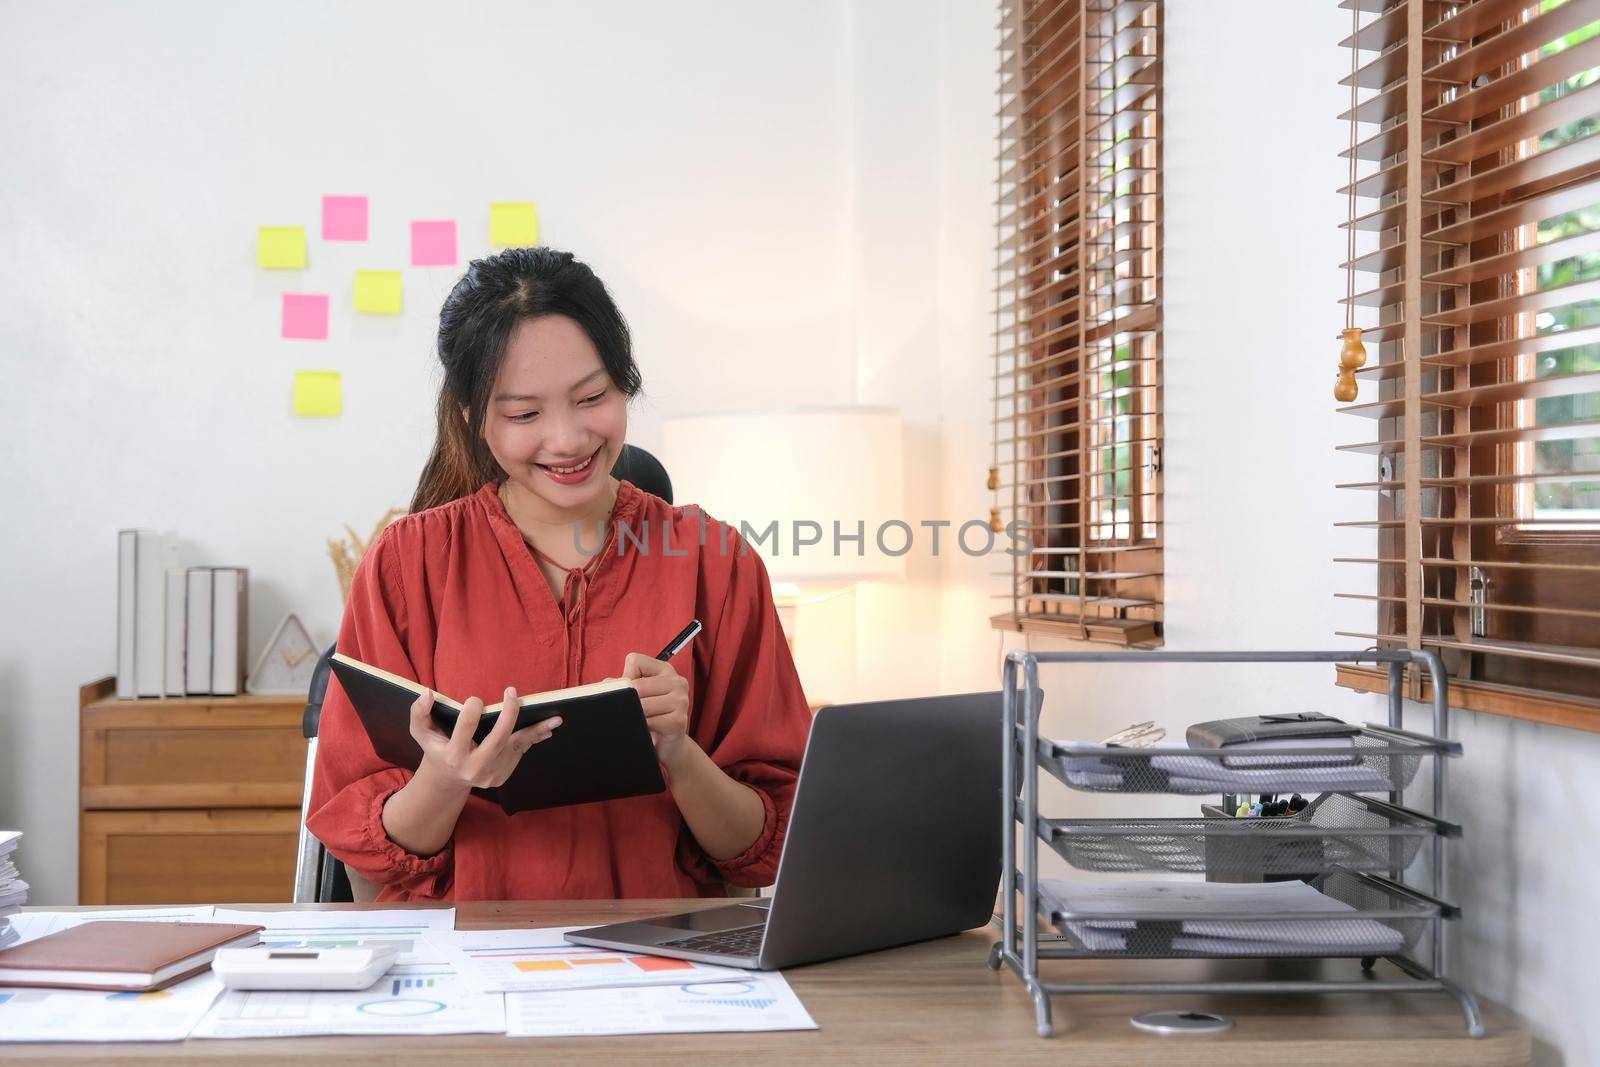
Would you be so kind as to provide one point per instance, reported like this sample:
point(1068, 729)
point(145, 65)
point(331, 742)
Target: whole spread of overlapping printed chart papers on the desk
point(524, 983)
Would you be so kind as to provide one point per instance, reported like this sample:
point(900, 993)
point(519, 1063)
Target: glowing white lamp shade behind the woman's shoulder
point(804, 470)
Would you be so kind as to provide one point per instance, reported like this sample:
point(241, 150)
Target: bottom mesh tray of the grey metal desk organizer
point(1388, 921)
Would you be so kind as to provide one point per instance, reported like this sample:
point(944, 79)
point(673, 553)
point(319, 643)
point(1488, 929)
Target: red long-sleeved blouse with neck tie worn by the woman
point(455, 599)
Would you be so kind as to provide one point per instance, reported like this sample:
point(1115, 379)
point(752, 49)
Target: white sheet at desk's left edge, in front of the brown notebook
point(79, 1015)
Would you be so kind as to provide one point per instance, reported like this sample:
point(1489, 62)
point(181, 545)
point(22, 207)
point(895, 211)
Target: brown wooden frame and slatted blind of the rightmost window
point(1452, 420)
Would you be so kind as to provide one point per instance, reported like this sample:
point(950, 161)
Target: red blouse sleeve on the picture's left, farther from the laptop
point(351, 783)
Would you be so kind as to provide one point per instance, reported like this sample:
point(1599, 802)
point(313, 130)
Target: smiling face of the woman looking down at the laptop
point(556, 422)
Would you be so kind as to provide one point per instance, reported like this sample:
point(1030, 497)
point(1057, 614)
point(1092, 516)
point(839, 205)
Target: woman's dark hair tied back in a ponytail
point(474, 327)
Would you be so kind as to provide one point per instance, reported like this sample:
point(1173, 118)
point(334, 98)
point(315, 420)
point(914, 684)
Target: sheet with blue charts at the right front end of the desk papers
point(761, 1001)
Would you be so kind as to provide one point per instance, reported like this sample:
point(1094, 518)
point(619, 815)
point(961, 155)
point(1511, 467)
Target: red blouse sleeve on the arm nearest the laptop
point(753, 716)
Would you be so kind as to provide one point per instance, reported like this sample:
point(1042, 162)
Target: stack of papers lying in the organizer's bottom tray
point(1217, 917)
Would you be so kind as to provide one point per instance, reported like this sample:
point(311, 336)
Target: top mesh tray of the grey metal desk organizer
point(1382, 761)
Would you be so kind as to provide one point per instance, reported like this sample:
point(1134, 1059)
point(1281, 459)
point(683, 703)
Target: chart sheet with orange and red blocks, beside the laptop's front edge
point(542, 961)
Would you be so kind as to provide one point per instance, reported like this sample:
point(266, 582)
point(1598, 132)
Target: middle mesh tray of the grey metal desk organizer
point(1335, 831)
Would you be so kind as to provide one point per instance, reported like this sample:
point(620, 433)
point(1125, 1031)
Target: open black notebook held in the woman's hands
point(602, 749)
